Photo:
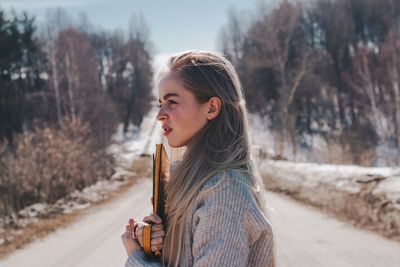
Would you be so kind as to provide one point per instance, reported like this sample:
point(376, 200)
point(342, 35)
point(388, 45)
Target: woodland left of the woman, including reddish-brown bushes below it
point(64, 88)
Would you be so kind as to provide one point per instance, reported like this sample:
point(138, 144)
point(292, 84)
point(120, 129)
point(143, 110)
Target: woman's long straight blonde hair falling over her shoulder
point(222, 144)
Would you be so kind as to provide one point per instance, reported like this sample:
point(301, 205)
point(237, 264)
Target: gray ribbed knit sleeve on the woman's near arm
point(220, 237)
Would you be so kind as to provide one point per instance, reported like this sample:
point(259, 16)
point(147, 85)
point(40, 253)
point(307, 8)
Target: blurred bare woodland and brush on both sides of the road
point(313, 69)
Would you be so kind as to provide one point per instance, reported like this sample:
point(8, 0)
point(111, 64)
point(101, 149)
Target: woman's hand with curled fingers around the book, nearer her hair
point(157, 232)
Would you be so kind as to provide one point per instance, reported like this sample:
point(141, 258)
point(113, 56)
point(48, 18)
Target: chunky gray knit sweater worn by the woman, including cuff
point(227, 228)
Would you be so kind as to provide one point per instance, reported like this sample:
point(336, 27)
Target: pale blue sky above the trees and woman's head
point(175, 25)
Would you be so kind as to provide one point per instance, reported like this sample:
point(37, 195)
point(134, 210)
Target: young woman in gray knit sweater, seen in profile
point(216, 212)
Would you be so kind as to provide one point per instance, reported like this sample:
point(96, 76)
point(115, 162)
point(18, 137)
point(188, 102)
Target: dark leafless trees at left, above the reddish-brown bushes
point(69, 71)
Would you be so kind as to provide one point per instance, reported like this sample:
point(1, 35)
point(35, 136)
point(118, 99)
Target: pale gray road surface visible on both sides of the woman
point(304, 237)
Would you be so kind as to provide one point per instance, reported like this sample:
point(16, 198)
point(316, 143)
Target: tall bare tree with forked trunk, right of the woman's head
point(278, 44)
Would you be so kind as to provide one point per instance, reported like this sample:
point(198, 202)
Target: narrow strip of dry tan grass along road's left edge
point(140, 168)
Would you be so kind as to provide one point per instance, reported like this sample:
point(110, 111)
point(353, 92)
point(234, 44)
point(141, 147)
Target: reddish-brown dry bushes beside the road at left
point(47, 164)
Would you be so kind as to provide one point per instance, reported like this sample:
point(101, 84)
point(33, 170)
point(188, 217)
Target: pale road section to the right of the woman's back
point(307, 237)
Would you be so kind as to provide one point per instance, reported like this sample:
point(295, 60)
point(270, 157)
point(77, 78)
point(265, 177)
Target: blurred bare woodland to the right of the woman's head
point(324, 68)
